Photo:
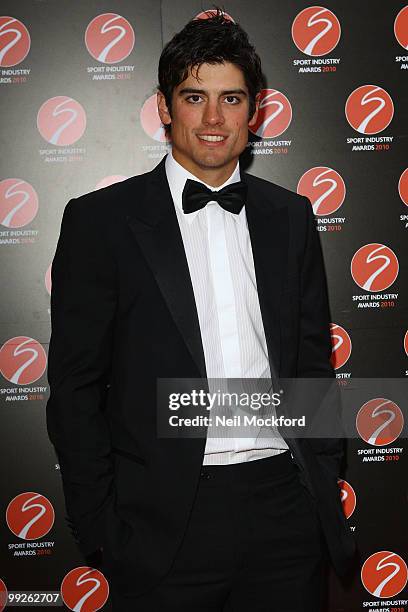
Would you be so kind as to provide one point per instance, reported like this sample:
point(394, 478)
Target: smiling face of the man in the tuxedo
point(209, 121)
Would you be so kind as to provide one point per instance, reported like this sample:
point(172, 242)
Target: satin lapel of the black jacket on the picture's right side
point(269, 232)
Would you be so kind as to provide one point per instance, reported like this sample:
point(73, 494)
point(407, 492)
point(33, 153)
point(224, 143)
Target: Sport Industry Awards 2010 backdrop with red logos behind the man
point(78, 108)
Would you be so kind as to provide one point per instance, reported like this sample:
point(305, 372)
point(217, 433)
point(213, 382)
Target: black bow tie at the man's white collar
point(196, 196)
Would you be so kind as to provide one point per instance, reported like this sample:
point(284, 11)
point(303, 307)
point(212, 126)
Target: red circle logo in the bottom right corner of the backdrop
point(384, 574)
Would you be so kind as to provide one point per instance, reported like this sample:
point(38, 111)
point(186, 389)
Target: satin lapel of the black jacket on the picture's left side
point(156, 229)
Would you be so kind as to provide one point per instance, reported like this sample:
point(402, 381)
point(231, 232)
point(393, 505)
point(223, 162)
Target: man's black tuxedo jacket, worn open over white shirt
point(123, 314)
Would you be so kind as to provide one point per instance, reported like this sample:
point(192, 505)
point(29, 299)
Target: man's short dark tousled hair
point(213, 40)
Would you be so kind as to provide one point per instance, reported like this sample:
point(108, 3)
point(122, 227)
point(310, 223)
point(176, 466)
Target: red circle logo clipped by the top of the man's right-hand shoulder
point(325, 189)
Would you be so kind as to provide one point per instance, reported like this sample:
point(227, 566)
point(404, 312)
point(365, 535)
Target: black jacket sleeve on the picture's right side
point(315, 351)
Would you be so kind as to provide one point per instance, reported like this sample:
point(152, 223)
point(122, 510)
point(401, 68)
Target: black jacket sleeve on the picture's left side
point(83, 306)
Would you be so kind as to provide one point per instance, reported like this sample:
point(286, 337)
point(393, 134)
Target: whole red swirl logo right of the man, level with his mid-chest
point(374, 267)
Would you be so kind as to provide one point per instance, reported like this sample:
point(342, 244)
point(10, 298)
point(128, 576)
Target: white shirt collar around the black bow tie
point(177, 176)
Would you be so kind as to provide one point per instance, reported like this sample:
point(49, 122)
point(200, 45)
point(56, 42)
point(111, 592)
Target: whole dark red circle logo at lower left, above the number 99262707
point(30, 516)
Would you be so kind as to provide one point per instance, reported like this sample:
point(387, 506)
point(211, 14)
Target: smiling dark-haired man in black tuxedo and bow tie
point(158, 278)
